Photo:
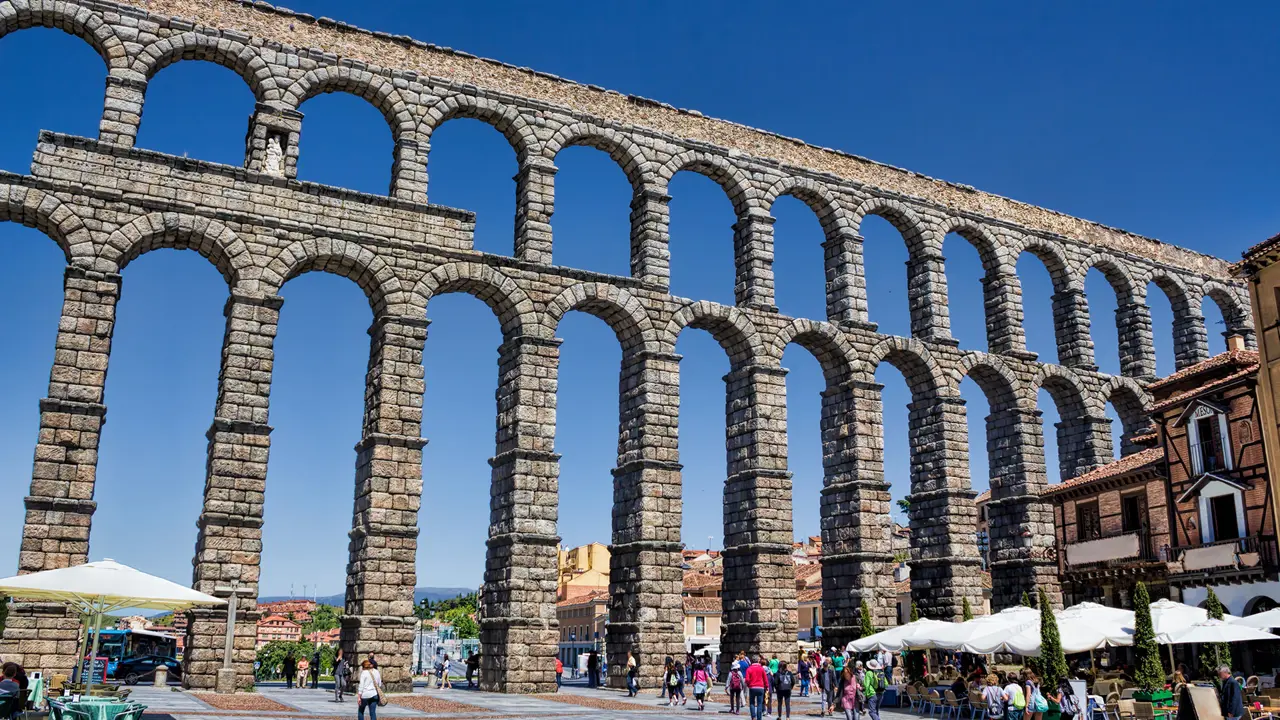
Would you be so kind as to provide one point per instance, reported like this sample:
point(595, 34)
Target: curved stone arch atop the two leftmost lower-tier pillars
point(212, 239)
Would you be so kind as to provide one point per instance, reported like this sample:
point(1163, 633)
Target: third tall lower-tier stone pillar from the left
point(383, 549)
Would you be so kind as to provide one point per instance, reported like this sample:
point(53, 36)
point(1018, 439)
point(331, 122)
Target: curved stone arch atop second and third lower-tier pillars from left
point(349, 261)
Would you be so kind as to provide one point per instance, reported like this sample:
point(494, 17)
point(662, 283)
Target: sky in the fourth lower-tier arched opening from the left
point(461, 371)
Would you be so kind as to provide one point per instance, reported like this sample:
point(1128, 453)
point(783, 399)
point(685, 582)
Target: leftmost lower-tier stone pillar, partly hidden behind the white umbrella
point(61, 505)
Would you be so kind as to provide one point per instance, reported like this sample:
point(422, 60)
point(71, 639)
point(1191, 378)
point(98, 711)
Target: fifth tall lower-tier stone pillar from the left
point(646, 580)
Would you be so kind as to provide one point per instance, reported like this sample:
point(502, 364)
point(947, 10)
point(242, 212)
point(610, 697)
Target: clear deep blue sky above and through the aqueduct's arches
point(1159, 119)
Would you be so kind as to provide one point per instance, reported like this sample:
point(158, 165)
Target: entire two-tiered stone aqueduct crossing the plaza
point(106, 203)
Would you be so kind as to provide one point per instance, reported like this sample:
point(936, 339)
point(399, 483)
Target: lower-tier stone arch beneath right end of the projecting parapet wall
point(515, 311)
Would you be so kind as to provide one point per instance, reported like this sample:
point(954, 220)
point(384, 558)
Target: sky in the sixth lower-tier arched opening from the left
point(702, 439)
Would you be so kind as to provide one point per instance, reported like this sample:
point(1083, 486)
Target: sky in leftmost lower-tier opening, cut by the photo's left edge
point(33, 295)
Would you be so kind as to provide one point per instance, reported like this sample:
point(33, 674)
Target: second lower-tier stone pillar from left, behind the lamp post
point(230, 544)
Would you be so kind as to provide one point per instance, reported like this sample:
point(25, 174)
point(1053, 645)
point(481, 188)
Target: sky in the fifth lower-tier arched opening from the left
point(587, 431)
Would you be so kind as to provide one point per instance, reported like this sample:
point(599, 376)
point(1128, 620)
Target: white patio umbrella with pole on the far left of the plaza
point(97, 589)
